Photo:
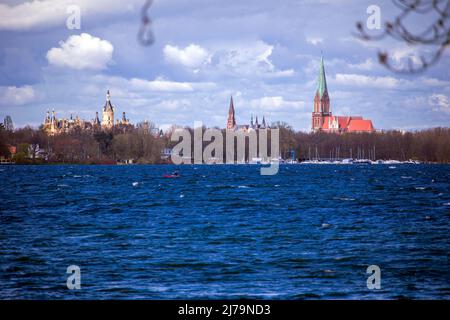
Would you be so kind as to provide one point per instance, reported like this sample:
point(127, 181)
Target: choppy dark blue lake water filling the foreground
point(225, 232)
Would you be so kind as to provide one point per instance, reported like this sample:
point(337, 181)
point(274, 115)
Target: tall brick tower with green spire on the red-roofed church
point(321, 100)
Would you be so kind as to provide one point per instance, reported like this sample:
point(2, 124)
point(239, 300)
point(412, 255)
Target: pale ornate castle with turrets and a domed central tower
point(54, 126)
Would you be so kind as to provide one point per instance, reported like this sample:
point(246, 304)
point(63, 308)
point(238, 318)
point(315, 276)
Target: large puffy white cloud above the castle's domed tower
point(82, 52)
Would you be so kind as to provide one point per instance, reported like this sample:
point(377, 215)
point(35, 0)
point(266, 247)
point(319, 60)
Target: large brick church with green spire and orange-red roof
point(322, 118)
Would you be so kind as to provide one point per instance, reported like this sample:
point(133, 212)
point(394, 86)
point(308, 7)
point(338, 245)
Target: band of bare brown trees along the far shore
point(33, 146)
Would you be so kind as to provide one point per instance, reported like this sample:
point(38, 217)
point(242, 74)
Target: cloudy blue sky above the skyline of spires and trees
point(265, 54)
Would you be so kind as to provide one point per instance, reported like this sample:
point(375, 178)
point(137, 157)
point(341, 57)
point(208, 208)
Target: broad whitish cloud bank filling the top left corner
point(47, 13)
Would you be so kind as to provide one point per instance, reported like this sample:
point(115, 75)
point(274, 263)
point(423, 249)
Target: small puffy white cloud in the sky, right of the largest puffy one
point(193, 56)
